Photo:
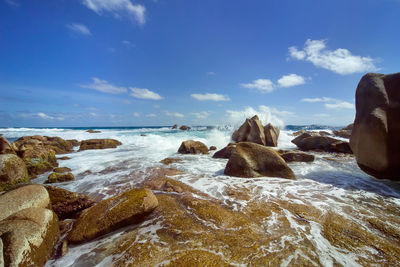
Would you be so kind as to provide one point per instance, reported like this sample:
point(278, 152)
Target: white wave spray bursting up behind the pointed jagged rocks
point(265, 113)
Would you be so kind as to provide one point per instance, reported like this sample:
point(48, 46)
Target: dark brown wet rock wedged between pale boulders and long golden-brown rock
point(68, 204)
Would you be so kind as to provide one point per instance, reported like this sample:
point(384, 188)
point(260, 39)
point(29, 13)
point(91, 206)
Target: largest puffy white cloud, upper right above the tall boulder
point(340, 61)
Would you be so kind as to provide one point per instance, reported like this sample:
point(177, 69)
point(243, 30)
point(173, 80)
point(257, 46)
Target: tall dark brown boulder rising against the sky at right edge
point(375, 139)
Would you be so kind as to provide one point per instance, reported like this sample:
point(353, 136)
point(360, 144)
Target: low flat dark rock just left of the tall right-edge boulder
point(316, 142)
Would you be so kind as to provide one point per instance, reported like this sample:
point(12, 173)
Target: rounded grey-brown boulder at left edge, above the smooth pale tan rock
point(12, 171)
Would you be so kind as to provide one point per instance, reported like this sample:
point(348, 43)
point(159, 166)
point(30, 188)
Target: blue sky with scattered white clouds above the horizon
point(211, 62)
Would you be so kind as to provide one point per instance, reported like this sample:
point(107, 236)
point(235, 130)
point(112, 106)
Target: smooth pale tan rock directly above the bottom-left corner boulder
point(23, 198)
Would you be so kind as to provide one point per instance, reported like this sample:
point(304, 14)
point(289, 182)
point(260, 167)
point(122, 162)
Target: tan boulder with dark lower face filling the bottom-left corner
point(28, 237)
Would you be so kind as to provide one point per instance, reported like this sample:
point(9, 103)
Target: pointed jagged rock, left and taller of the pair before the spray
point(251, 130)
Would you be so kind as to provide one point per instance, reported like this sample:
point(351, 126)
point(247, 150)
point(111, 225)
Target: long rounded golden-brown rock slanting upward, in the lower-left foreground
point(110, 214)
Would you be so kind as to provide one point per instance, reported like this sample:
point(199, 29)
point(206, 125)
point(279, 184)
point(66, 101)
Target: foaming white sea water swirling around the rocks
point(329, 183)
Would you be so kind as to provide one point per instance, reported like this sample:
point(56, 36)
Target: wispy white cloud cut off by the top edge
point(118, 8)
